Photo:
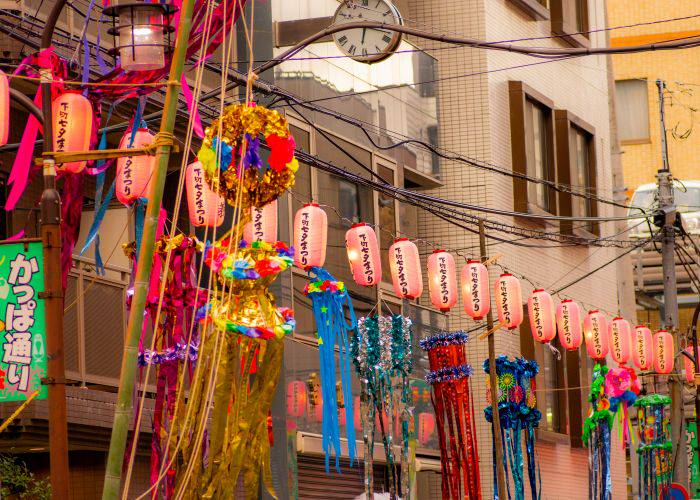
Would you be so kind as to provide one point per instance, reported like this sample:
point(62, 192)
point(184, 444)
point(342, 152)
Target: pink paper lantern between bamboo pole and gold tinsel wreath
point(206, 207)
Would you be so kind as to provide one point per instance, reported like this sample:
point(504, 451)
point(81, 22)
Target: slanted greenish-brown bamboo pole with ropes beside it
point(127, 377)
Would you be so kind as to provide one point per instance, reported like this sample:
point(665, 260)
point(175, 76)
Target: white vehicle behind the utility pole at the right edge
point(686, 195)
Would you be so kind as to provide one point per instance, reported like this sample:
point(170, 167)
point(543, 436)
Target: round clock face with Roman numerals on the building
point(366, 44)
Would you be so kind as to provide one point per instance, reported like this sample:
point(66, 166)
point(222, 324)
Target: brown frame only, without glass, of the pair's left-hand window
point(519, 94)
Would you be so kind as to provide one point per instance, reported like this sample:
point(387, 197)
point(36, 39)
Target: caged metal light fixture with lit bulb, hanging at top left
point(141, 33)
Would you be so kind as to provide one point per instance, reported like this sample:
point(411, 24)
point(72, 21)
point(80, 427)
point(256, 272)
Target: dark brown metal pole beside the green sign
point(53, 286)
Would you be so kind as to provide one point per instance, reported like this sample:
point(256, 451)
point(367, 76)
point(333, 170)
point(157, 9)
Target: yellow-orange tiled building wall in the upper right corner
point(641, 161)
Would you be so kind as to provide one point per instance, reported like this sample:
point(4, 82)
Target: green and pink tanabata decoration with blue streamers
point(613, 391)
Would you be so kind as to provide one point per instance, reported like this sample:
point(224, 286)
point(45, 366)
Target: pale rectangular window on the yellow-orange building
point(632, 109)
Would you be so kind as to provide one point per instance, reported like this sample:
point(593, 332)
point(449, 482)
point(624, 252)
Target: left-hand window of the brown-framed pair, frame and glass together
point(532, 148)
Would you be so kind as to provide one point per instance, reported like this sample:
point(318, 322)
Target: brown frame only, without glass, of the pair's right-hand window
point(565, 124)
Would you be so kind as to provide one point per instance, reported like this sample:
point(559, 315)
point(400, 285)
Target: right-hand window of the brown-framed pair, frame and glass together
point(576, 166)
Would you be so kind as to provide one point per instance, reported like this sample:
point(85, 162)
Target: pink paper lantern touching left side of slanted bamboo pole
point(135, 173)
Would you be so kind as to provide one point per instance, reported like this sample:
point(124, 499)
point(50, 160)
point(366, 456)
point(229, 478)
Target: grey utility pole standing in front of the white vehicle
point(667, 216)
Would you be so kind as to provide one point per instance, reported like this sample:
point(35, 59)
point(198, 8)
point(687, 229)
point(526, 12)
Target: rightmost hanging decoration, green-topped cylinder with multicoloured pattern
point(655, 449)
